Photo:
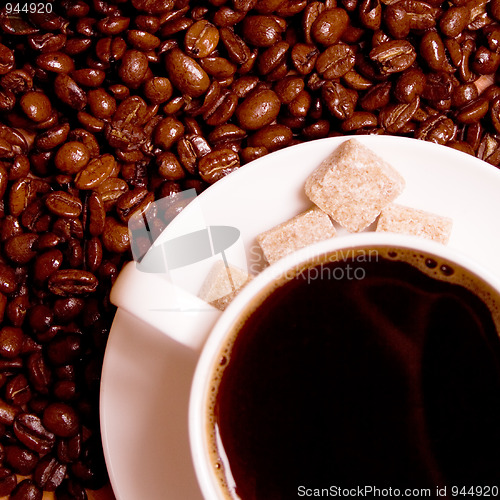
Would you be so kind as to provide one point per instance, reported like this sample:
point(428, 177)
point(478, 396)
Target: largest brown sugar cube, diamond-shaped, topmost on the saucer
point(353, 185)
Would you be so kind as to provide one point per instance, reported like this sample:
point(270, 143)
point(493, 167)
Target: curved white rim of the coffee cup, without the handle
point(198, 396)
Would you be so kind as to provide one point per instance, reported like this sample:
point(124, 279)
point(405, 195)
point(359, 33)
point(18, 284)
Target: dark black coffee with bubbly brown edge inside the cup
point(392, 380)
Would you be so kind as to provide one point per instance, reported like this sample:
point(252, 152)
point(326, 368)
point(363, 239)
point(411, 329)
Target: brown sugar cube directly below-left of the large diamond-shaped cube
point(304, 229)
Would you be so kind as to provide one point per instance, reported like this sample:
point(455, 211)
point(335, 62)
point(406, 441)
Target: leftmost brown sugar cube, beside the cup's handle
point(223, 284)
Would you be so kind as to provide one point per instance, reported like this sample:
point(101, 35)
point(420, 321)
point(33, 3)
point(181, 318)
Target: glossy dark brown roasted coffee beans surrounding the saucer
point(107, 106)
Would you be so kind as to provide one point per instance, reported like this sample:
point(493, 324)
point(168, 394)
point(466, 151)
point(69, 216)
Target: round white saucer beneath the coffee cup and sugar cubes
point(146, 376)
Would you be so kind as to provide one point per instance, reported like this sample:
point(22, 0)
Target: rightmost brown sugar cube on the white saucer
point(400, 219)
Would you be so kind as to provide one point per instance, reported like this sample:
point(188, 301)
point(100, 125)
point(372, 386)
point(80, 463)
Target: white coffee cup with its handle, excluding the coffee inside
point(204, 328)
